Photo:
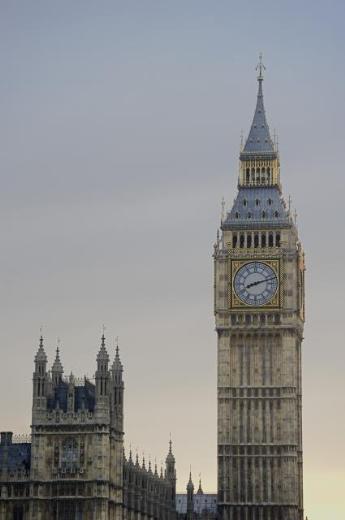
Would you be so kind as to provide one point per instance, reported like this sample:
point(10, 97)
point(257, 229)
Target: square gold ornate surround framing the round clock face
point(235, 302)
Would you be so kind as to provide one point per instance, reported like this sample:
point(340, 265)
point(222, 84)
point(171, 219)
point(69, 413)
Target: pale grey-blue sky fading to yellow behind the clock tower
point(120, 128)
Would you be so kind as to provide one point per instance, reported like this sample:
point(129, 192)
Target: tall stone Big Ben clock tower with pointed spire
point(259, 311)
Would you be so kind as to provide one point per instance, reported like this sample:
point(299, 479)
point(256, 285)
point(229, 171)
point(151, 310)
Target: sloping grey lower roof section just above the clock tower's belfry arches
point(257, 207)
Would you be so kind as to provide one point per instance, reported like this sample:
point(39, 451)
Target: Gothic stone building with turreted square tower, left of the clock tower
point(74, 468)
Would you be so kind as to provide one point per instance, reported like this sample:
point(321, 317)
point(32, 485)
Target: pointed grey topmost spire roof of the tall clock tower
point(259, 140)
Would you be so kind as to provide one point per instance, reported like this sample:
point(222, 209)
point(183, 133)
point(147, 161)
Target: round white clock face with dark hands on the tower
point(255, 283)
